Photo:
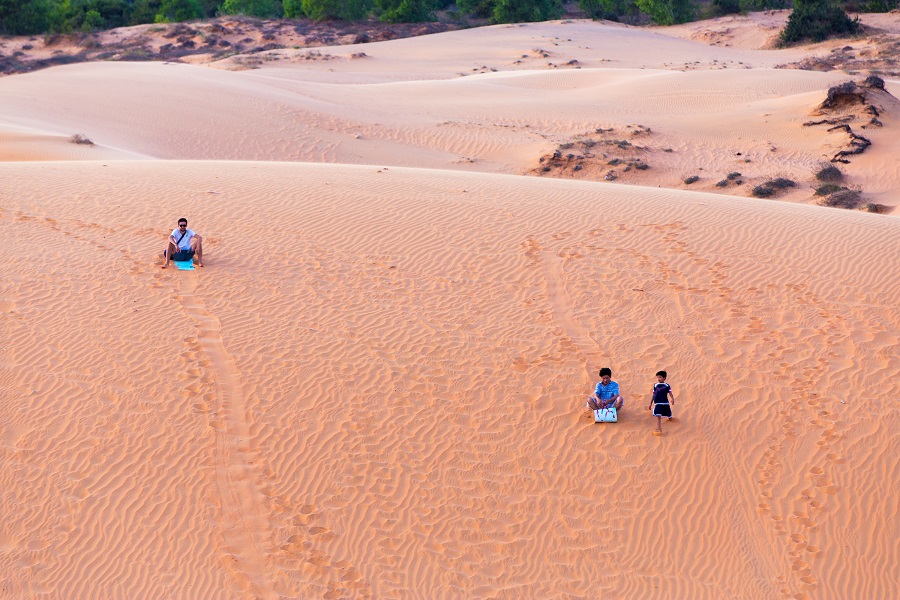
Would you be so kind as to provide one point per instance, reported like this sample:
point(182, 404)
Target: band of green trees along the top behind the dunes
point(811, 19)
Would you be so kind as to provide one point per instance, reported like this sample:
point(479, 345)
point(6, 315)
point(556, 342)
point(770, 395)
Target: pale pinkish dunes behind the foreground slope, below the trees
point(495, 99)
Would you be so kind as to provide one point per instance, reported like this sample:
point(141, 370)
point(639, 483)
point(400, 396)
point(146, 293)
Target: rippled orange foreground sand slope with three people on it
point(389, 405)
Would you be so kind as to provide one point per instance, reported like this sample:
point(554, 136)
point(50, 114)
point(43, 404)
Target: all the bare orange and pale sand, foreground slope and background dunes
point(375, 386)
